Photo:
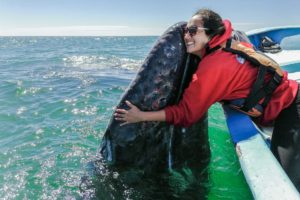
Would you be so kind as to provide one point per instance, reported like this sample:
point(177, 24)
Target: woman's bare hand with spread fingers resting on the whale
point(133, 115)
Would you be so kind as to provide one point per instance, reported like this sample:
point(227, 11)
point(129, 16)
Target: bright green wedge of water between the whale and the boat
point(226, 177)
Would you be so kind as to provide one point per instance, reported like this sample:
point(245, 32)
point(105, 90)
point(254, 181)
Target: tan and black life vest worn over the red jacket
point(261, 91)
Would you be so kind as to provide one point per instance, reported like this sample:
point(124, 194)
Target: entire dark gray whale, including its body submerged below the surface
point(134, 160)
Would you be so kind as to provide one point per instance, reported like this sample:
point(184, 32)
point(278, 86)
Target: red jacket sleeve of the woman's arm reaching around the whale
point(208, 86)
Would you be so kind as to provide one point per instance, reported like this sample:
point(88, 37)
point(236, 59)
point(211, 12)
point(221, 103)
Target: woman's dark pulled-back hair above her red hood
point(212, 21)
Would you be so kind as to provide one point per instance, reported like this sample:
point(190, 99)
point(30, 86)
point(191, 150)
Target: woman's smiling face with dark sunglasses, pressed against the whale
point(195, 37)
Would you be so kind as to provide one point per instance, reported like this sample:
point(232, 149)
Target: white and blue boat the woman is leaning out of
point(264, 175)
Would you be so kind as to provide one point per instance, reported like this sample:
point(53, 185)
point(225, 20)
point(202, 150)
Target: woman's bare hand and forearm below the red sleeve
point(134, 115)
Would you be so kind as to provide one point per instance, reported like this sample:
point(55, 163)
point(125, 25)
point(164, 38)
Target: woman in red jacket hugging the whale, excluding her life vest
point(224, 76)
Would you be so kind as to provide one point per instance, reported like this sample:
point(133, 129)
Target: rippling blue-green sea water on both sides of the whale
point(57, 95)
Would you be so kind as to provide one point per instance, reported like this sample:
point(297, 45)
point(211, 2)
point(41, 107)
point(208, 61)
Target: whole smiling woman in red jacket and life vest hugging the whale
point(231, 71)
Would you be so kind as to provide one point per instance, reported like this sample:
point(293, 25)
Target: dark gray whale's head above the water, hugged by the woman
point(157, 84)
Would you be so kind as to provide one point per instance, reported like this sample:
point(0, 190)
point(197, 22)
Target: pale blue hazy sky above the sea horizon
point(134, 17)
